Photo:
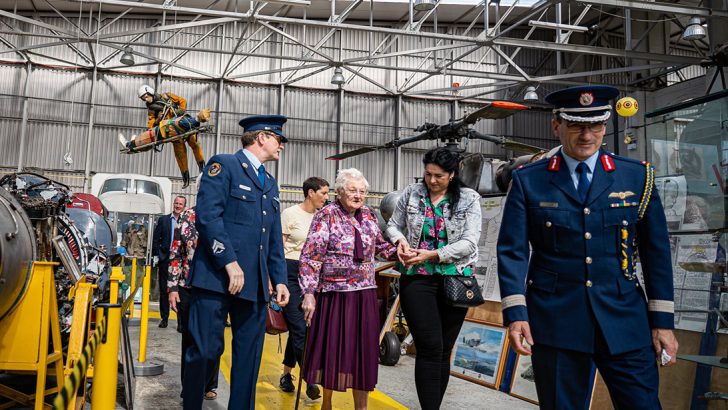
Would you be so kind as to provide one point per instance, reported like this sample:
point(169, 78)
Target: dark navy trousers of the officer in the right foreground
point(563, 376)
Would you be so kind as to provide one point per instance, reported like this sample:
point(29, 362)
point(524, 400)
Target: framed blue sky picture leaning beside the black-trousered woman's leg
point(479, 353)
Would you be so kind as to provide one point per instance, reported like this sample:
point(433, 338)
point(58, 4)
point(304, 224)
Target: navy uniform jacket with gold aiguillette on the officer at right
point(573, 276)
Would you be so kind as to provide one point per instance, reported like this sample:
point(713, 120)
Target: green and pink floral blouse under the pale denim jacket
point(434, 236)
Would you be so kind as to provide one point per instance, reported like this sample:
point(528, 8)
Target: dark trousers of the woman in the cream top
point(294, 318)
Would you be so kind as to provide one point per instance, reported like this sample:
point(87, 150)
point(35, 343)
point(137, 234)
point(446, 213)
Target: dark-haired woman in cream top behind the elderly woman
point(295, 222)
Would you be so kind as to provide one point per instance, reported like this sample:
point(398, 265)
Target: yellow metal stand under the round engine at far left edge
point(25, 335)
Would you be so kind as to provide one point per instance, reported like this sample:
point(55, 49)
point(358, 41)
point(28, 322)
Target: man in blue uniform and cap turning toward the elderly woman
point(240, 248)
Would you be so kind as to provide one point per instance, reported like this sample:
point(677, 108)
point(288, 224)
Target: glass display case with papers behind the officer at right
point(687, 144)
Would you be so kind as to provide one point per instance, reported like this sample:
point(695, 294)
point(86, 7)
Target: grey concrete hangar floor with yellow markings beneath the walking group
point(395, 388)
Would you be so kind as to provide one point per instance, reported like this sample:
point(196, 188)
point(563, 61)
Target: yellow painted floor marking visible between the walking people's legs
point(269, 396)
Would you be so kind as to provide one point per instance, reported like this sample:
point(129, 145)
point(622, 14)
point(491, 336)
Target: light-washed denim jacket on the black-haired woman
point(463, 229)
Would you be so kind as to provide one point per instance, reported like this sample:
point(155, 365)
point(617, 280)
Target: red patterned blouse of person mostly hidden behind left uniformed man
point(184, 242)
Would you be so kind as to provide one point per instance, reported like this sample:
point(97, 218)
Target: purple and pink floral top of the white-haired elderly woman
point(327, 257)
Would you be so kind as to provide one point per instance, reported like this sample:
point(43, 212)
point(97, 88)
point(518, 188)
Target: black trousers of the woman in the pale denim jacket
point(435, 326)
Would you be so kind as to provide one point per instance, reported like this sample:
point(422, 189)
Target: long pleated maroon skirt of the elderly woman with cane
point(342, 351)
